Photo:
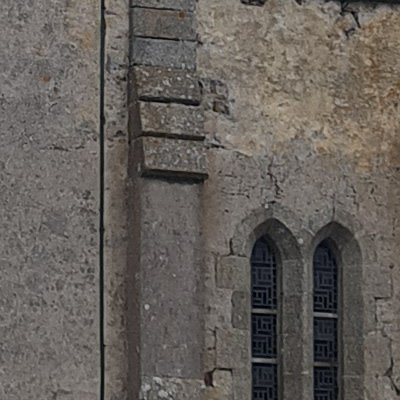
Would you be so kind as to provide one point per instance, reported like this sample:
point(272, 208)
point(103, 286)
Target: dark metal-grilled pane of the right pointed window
point(325, 324)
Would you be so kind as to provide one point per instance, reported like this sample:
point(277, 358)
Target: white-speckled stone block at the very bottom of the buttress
point(155, 388)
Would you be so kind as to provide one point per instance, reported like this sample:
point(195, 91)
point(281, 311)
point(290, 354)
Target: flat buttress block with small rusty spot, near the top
point(166, 24)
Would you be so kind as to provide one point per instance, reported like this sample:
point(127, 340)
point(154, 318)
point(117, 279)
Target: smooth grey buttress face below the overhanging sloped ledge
point(172, 337)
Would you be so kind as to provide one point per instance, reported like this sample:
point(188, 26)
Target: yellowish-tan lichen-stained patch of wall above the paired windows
point(296, 74)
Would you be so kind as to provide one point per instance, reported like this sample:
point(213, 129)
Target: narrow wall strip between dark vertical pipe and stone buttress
point(116, 195)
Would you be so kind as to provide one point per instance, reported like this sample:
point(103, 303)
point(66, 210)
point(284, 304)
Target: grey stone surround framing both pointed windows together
point(296, 245)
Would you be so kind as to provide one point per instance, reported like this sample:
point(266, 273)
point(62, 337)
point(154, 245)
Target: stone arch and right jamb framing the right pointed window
point(351, 308)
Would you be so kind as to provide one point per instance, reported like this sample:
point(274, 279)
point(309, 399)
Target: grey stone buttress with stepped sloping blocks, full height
point(167, 165)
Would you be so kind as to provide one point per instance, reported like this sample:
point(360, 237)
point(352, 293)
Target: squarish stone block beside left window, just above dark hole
point(233, 348)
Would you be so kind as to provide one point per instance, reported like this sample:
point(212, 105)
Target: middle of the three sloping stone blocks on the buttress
point(175, 120)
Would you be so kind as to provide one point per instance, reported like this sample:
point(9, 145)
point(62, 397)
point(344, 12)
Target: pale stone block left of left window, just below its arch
point(233, 273)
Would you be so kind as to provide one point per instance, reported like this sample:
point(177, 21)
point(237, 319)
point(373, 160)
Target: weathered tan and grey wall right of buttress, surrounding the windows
point(301, 120)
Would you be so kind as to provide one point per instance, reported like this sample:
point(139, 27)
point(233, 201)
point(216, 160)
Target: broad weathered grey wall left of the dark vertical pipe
point(49, 87)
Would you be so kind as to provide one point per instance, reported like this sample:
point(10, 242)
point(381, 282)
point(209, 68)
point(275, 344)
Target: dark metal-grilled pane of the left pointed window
point(264, 322)
